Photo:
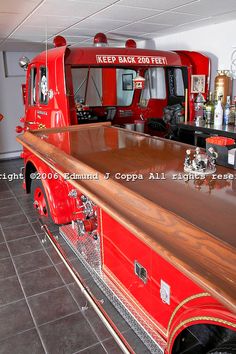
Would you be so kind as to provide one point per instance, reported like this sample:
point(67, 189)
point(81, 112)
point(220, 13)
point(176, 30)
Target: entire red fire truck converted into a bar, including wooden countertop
point(156, 243)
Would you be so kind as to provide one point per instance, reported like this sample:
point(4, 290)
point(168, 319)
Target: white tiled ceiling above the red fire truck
point(26, 24)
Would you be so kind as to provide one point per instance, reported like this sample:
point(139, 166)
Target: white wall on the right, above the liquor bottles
point(216, 41)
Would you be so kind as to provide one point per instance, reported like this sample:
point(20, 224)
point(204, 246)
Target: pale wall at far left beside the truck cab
point(11, 106)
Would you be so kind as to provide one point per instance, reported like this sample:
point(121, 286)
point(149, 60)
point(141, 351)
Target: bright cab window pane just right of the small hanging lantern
point(155, 85)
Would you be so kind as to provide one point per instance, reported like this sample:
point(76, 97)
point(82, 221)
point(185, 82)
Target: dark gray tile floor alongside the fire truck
point(41, 309)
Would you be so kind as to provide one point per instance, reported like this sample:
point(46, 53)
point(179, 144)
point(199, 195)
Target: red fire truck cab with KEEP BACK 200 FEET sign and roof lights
point(121, 85)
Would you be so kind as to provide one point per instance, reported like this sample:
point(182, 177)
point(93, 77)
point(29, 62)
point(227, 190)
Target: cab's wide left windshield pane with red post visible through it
point(103, 86)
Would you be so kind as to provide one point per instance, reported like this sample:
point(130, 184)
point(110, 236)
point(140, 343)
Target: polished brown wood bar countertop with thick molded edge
point(191, 223)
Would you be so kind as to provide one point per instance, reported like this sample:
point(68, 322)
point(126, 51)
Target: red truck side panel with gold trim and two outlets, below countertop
point(121, 249)
